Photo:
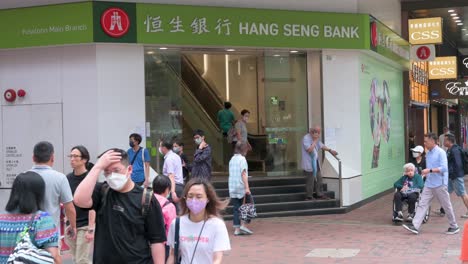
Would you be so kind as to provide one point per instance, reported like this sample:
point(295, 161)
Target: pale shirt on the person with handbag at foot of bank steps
point(237, 165)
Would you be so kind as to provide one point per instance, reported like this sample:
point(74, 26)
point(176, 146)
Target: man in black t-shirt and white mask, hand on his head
point(129, 221)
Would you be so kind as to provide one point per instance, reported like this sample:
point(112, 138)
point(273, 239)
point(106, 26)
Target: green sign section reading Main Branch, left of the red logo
point(47, 25)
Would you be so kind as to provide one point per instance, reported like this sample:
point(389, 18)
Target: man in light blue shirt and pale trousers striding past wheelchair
point(436, 175)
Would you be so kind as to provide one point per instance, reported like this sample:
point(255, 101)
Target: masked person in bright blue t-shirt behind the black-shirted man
point(139, 161)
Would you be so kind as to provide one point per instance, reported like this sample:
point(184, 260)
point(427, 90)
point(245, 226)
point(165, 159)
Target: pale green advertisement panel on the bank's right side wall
point(382, 126)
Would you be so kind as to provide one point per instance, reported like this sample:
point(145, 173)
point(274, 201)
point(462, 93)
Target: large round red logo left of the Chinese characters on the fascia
point(115, 22)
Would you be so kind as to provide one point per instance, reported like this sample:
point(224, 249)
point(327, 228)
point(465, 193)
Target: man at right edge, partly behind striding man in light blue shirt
point(456, 160)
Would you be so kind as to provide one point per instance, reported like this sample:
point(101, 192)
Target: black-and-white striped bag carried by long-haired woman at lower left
point(26, 252)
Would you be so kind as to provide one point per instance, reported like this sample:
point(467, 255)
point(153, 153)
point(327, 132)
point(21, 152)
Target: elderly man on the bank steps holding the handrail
point(311, 147)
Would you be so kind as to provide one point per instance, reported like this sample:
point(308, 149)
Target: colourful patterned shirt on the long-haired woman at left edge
point(43, 234)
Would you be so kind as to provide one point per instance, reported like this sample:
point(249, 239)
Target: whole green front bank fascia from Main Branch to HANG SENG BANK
point(91, 22)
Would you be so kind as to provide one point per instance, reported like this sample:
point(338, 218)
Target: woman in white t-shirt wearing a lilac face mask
point(203, 236)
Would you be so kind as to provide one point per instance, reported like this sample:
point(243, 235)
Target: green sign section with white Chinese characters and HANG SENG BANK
point(219, 26)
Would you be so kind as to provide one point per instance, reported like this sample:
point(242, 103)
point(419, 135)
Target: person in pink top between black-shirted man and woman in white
point(162, 189)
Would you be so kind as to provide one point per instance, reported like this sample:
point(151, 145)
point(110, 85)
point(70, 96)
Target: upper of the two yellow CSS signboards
point(425, 30)
